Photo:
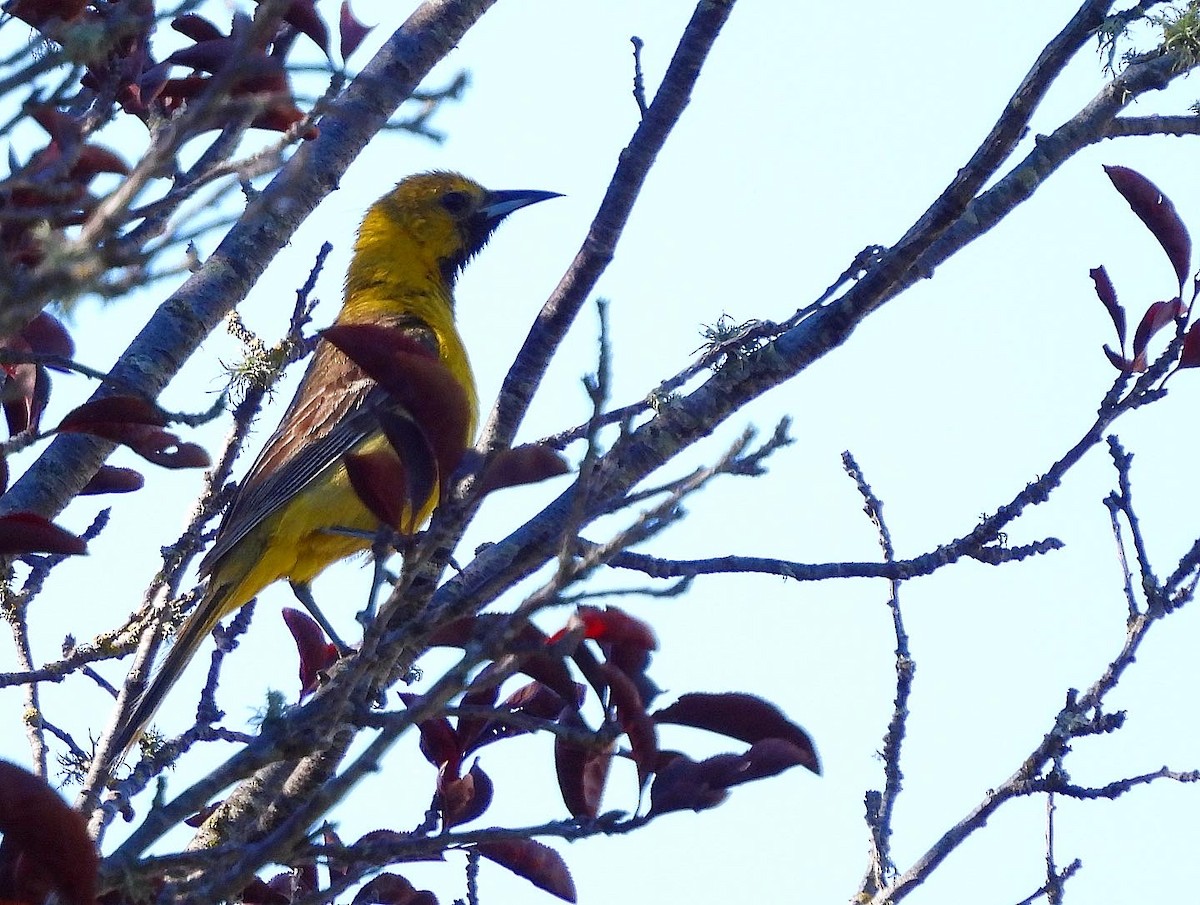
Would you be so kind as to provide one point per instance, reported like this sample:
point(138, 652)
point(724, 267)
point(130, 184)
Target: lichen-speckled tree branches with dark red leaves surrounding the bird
point(589, 685)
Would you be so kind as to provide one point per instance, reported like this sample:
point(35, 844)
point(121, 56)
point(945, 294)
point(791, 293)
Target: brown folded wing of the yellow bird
point(334, 410)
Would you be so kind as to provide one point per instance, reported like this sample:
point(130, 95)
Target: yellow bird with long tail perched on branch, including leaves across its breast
point(370, 436)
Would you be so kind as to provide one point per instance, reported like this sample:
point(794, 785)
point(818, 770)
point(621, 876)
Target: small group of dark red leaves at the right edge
point(1157, 212)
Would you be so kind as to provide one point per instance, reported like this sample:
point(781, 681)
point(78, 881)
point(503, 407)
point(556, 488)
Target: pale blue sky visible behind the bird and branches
point(812, 135)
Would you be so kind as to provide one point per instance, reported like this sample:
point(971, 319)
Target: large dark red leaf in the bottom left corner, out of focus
point(46, 844)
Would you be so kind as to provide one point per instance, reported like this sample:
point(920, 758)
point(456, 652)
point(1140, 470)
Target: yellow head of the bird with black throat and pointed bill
point(440, 220)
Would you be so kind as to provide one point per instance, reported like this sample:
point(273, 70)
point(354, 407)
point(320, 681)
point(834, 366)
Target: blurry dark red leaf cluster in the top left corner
point(51, 190)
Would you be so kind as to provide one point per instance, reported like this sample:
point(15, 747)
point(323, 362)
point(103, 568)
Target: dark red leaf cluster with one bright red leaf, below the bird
point(615, 667)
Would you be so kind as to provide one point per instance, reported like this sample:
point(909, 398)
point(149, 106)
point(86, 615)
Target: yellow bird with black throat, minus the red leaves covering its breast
point(296, 513)
